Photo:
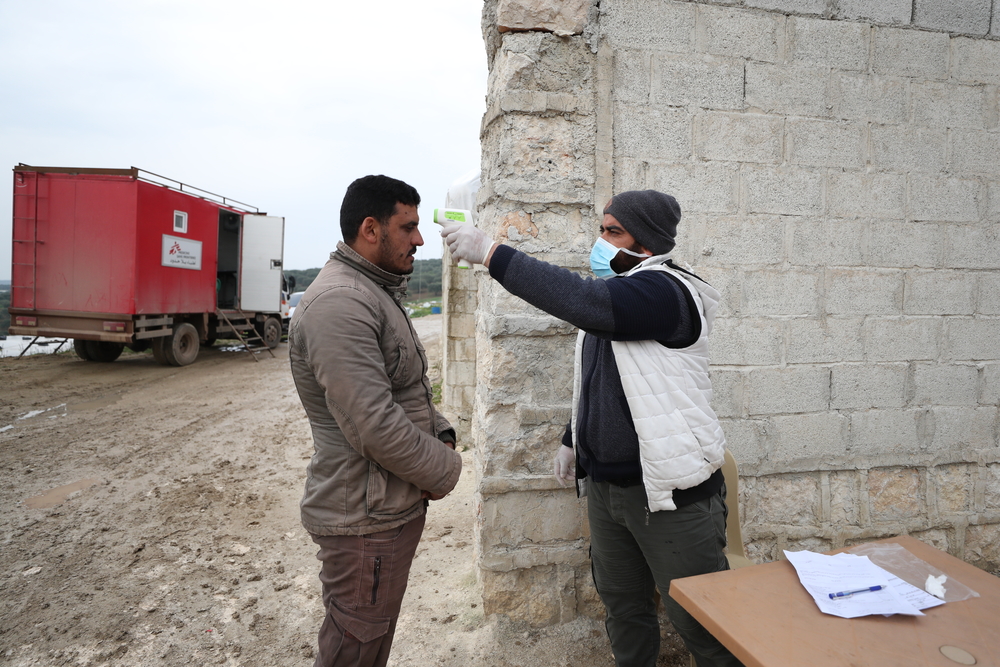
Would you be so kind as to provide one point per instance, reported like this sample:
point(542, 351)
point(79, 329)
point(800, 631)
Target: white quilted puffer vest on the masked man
point(669, 395)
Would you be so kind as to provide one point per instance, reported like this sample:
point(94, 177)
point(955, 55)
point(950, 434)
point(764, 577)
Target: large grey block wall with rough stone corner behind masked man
point(837, 163)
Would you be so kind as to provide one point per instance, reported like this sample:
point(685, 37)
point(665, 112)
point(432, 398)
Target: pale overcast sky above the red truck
point(279, 105)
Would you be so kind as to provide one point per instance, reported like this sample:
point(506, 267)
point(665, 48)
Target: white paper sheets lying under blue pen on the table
point(822, 575)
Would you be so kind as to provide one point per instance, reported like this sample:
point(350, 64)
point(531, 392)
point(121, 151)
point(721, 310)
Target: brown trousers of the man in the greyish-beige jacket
point(364, 578)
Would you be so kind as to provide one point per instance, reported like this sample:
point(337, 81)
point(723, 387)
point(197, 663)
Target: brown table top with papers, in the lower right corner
point(767, 619)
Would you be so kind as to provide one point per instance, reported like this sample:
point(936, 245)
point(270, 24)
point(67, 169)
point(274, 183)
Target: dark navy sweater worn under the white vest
point(648, 305)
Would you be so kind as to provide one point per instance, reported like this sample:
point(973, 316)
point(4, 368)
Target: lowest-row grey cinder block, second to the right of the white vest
point(819, 436)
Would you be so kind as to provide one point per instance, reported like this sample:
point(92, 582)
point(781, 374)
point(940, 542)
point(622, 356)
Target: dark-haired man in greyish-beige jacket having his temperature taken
point(381, 448)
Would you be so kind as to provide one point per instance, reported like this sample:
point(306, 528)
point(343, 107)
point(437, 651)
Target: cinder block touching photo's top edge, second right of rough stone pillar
point(726, 31)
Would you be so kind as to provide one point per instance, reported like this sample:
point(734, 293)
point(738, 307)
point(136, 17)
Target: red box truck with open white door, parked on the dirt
point(116, 257)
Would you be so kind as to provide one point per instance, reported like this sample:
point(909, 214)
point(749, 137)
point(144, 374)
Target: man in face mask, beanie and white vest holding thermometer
point(644, 444)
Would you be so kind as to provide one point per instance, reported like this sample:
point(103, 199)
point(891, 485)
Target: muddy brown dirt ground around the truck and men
point(149, 516)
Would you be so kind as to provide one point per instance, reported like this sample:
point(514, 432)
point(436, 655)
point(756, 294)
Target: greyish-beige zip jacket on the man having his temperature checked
point(361, 374)
